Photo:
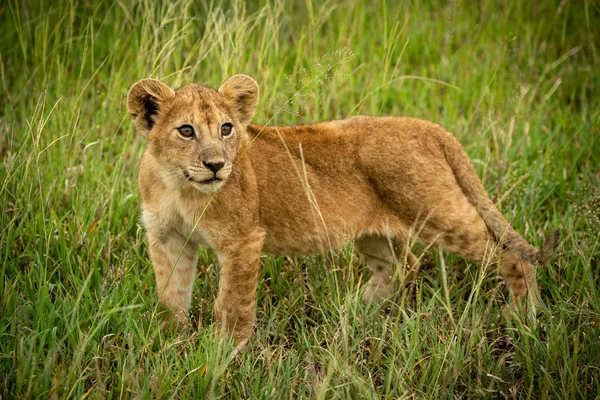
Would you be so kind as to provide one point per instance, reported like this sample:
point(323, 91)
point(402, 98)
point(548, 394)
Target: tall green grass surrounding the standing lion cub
point(517, 82)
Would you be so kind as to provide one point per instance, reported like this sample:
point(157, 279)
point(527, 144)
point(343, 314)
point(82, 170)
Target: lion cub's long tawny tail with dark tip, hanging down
point(467, 179)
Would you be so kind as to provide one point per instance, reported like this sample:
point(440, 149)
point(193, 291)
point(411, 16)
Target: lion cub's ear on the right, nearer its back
point(242, 92)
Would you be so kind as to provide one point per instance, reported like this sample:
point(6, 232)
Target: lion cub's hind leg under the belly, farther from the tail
point(382, 254)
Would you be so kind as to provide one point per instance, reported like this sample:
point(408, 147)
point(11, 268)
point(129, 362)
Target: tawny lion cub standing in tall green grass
point(209, 177)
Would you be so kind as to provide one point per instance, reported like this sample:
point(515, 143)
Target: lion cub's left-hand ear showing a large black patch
point(144, 100)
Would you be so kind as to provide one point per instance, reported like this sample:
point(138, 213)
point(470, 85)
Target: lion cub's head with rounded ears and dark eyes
point(194, 132)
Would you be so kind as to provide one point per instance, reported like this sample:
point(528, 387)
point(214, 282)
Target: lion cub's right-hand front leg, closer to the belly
point(240, 266)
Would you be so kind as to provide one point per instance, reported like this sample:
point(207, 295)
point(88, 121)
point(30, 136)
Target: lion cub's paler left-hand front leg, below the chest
point(174, 259)
